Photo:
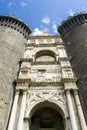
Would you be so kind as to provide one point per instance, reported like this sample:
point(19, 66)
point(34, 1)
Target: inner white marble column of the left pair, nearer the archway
point(22, 110)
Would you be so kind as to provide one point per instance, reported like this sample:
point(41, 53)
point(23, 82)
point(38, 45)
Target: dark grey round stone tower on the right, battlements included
point(74, 33)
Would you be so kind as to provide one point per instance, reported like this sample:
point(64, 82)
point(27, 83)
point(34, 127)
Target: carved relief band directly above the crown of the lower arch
point(33, 97)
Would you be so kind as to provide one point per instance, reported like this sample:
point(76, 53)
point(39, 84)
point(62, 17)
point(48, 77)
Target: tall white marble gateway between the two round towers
point(46, 95)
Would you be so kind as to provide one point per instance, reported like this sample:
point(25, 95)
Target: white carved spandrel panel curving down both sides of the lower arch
point(34, 97)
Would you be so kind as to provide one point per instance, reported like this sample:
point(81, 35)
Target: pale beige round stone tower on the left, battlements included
point(13, 34)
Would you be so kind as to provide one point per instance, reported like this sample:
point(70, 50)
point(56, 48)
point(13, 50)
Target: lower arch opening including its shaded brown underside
point(47, 107)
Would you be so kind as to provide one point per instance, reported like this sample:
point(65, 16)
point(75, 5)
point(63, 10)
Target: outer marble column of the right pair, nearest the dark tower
point(79, 109)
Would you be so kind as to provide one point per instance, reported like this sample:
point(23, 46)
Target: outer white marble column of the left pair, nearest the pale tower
point(14, 110)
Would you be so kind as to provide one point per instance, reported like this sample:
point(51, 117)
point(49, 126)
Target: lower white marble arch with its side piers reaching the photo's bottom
point(58, 106)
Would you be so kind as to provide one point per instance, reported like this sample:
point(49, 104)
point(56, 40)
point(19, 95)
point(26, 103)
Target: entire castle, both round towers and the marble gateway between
point(43, 78)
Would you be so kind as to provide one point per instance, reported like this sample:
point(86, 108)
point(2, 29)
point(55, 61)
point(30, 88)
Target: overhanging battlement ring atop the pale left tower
point(16, 24)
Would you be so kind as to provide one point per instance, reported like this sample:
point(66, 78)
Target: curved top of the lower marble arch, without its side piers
point(58, 106)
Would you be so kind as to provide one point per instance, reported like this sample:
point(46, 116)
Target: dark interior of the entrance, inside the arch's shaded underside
point(46, 118)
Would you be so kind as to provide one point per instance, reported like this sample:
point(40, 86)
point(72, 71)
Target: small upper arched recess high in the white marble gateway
point(45, 55)
